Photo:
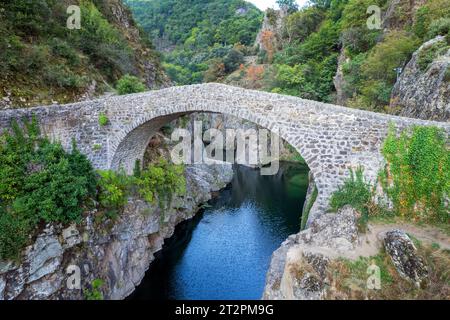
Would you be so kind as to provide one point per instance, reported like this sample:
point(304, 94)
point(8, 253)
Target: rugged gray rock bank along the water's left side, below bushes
point(119, 253)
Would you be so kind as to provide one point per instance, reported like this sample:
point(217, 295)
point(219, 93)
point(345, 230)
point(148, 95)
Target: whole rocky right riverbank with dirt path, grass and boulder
point(332, 260)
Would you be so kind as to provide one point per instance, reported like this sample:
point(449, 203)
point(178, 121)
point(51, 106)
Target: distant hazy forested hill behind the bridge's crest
point(201, 38)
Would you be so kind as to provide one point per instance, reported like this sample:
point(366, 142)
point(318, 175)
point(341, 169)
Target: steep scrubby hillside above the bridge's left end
point(41, 60)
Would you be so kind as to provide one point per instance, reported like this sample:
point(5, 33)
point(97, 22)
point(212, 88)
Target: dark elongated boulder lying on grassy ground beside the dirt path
point(404, 256)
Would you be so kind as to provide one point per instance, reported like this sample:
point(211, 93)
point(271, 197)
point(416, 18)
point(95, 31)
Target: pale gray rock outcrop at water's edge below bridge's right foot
point(298, 268)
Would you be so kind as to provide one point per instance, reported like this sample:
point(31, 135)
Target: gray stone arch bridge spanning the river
point(330, 138)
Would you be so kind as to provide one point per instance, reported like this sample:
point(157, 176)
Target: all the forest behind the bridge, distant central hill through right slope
point(299, 49)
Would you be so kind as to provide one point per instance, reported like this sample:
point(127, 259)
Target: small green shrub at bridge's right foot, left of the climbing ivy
point(355, 192)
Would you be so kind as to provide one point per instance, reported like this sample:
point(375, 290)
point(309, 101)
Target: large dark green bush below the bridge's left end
point(39, 182)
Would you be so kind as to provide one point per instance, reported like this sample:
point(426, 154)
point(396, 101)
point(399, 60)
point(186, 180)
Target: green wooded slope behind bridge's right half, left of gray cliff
point(314, 38)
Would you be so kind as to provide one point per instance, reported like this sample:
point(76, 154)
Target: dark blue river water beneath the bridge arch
point(224, 252)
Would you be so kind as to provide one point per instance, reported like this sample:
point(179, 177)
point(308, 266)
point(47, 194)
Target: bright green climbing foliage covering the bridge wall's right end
point(417, 176)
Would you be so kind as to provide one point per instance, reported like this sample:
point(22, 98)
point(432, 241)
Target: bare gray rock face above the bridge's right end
point(424, 94)
